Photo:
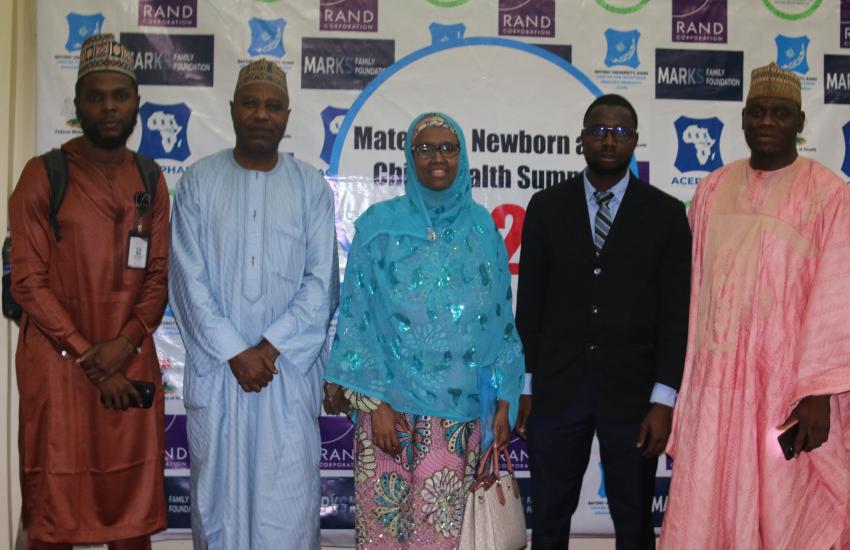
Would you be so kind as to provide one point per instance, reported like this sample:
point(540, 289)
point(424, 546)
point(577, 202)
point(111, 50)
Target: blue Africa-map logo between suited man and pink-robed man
point(699, 146)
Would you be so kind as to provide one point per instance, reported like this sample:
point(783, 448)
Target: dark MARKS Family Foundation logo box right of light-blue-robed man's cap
point(343, 63)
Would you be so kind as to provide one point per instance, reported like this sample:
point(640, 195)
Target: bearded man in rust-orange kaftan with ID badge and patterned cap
point(91, 462)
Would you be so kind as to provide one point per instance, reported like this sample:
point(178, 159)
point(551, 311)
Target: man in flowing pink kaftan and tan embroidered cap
point(769, 345)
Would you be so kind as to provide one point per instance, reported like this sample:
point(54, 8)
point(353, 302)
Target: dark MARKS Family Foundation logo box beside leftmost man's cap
point(172, 59)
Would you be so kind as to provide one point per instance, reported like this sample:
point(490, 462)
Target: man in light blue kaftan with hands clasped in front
point(253, 284)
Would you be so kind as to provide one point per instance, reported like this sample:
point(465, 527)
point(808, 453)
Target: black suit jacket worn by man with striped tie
point(622, 317)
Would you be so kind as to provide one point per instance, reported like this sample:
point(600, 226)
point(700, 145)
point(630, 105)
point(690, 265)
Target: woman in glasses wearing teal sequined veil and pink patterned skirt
point(426, 349)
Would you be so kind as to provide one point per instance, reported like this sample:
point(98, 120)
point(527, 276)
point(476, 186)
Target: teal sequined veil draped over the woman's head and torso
point(427, 325)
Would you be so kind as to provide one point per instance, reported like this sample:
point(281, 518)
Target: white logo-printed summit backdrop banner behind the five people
point(516, 74)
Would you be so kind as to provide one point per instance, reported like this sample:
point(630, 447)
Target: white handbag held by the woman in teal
point(493, 518)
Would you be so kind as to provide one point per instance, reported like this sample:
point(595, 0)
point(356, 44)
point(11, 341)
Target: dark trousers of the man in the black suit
point(559, 451)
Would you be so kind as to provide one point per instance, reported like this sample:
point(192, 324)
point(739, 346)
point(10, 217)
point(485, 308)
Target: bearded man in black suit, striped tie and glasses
point(602, 309)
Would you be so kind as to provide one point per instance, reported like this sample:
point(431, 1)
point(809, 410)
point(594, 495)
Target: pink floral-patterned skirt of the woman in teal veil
point(415, 500)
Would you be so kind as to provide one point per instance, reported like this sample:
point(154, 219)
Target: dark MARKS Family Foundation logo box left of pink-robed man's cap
point(699, 74)
